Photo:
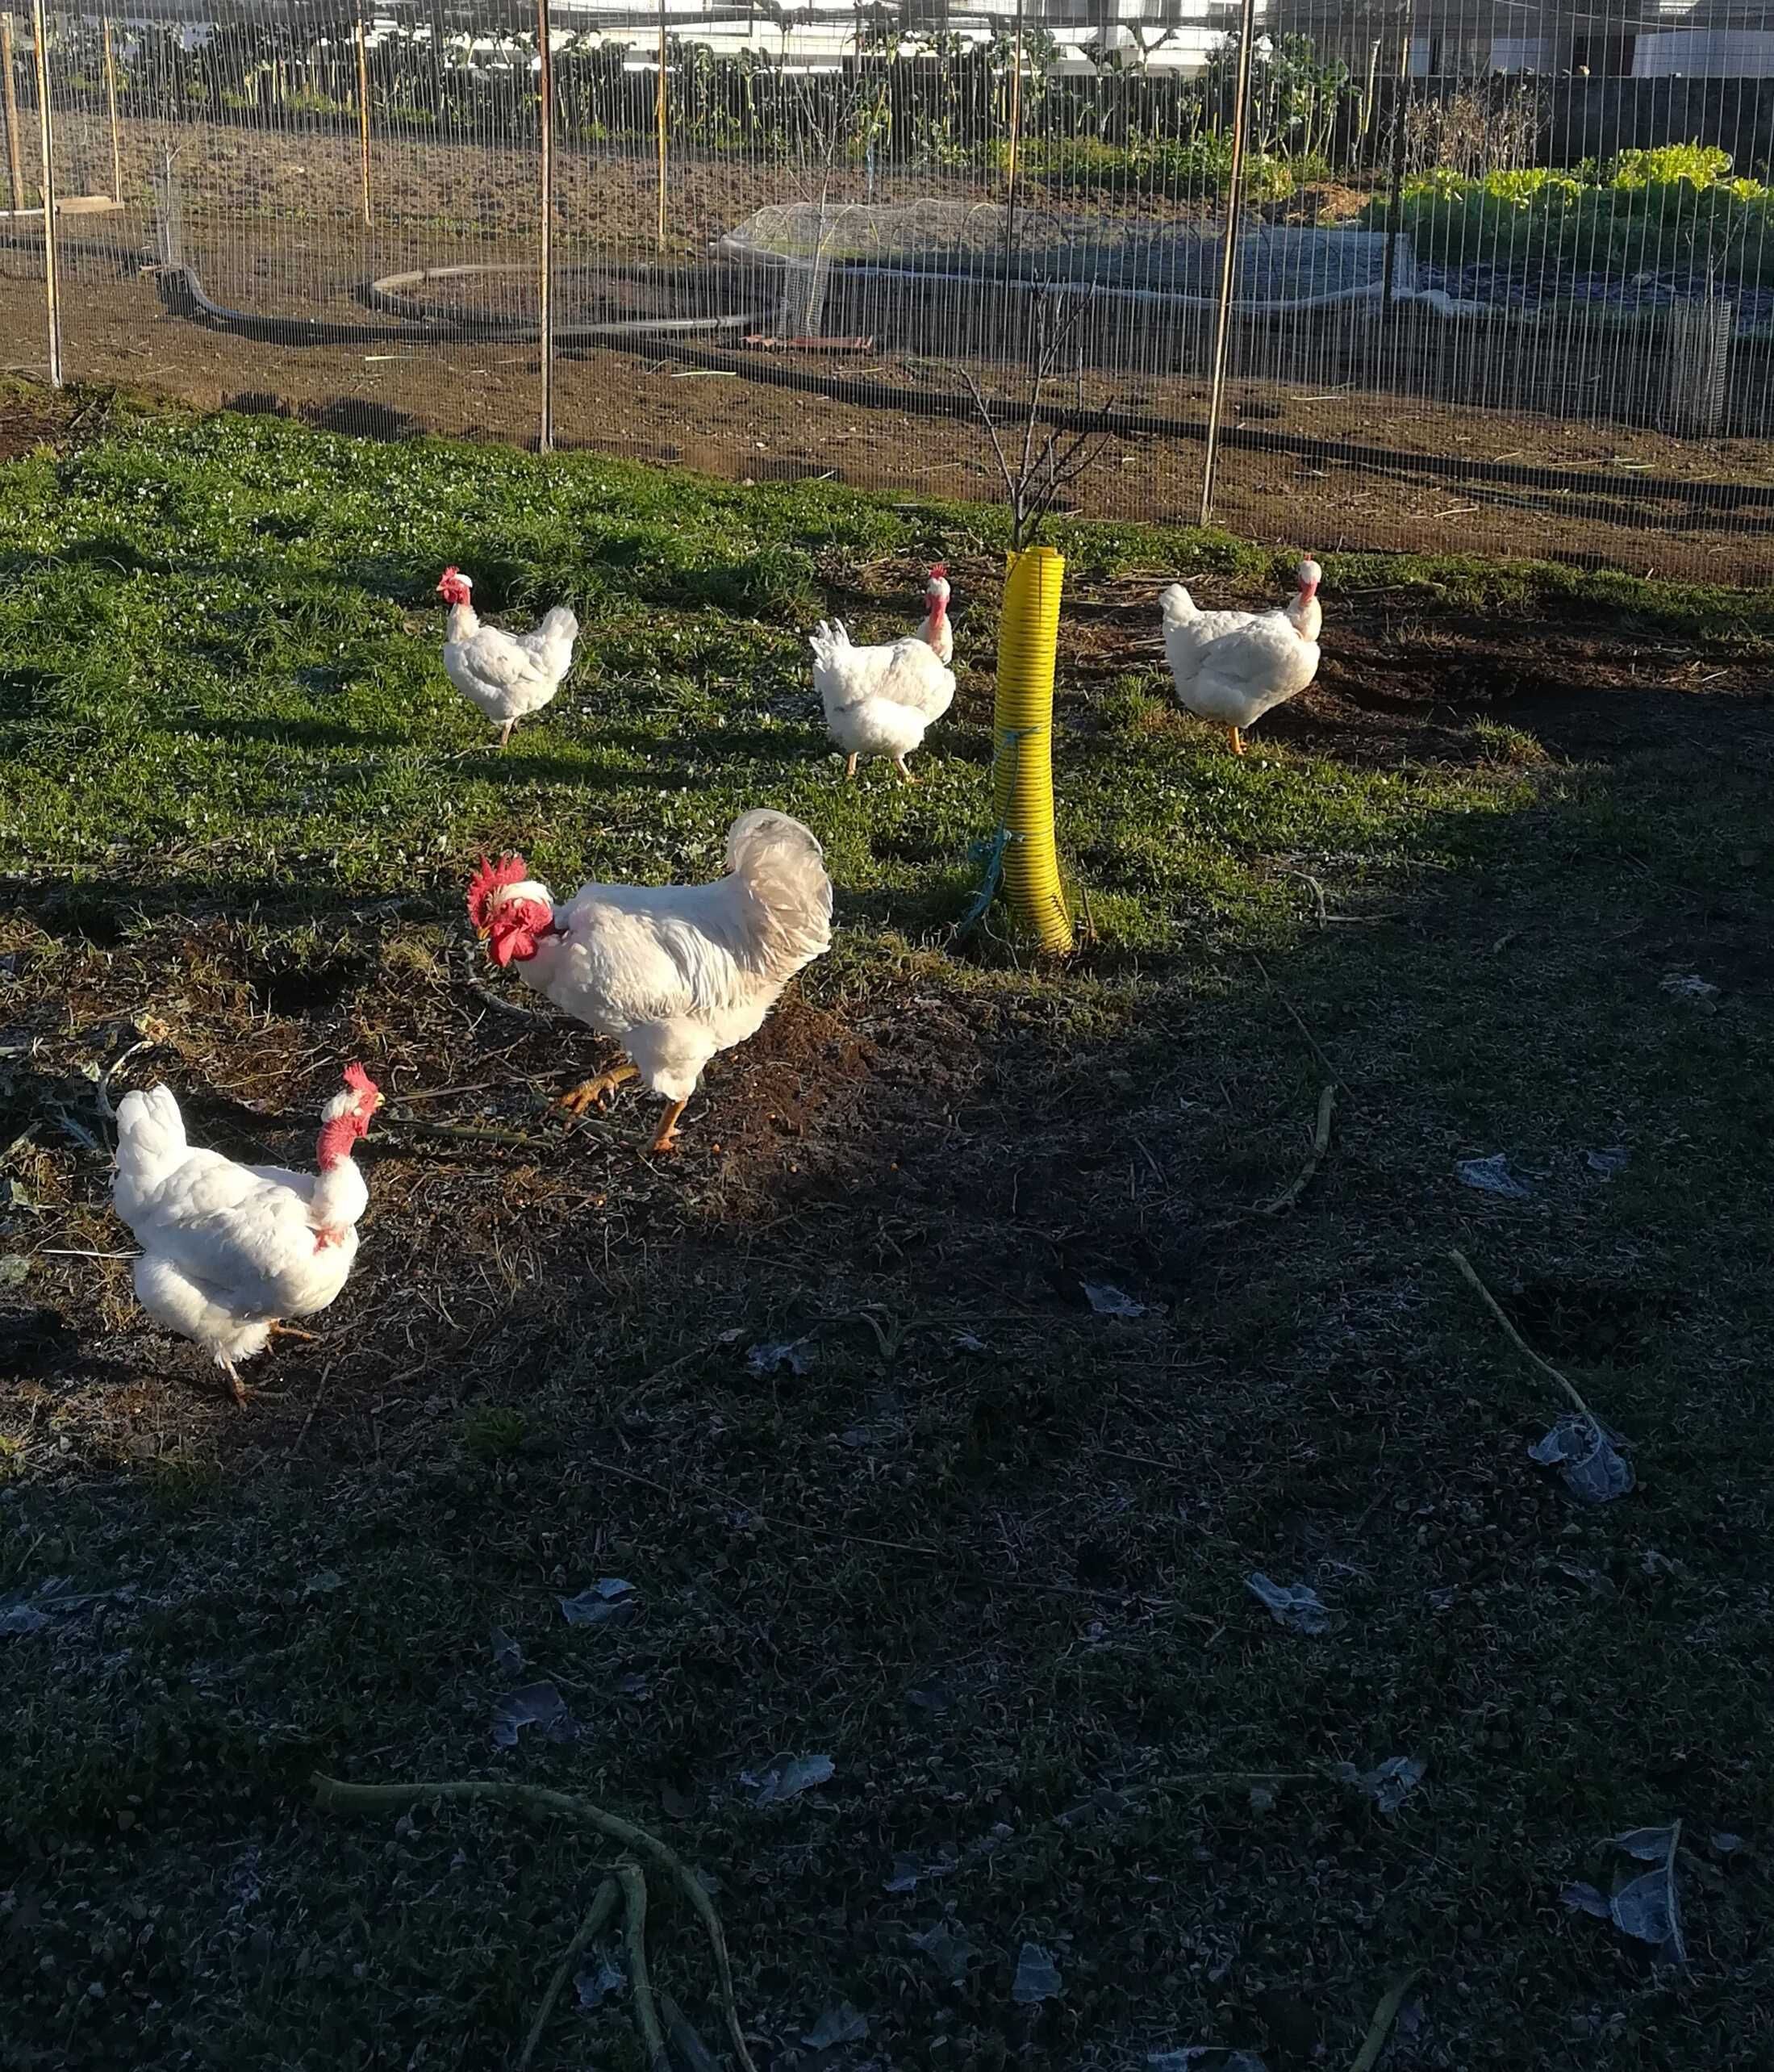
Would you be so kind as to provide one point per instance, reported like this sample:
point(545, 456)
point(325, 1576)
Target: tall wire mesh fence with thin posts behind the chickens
point(1427, 277)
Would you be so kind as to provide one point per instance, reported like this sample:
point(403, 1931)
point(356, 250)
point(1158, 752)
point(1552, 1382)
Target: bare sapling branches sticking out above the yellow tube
point(1039, 447)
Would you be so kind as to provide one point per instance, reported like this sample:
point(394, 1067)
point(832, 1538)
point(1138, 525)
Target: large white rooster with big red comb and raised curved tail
point(670, 973)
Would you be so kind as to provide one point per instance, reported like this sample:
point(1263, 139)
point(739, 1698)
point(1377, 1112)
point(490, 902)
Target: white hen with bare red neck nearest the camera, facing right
point(229, 1250)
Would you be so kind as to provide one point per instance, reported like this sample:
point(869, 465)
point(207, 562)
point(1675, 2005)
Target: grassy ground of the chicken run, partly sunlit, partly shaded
point(988, 1551)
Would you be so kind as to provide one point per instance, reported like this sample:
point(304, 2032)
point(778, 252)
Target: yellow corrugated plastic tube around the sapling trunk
point(1023, 764)
